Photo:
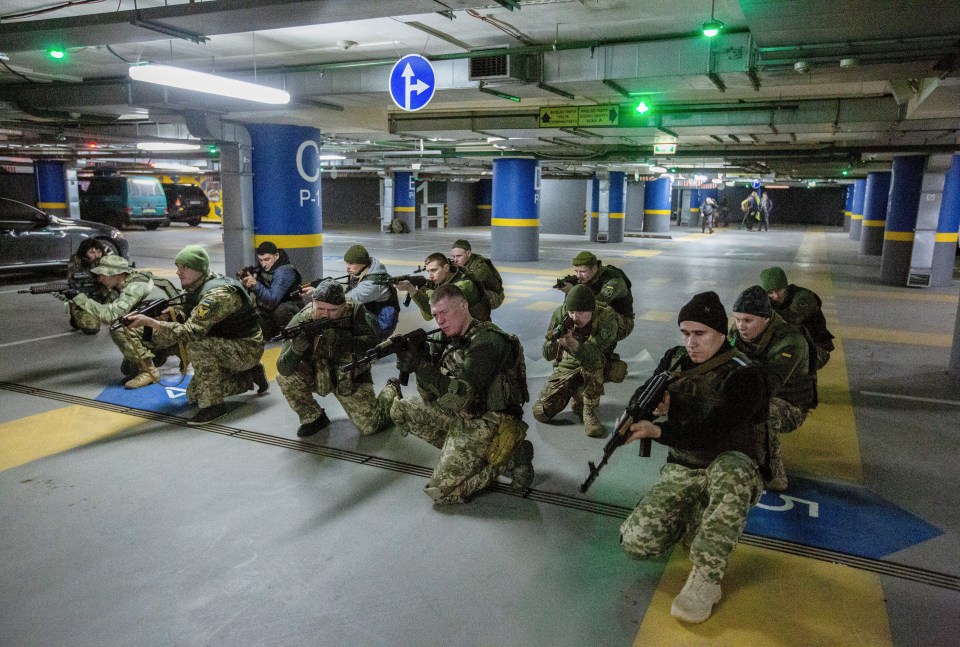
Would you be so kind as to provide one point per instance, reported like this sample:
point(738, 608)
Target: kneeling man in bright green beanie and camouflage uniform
point(221, 334)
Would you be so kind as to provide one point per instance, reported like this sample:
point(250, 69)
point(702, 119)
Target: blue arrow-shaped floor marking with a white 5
point(840, 517)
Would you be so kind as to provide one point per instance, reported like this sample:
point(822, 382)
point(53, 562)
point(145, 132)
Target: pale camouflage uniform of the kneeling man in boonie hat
point(138, 287)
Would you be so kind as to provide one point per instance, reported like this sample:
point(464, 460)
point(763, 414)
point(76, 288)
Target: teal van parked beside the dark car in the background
point(123, 201)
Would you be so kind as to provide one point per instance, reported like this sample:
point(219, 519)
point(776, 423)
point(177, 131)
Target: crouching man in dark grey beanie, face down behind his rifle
point(309, 364)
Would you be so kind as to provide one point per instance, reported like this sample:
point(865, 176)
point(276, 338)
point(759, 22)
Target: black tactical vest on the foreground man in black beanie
point(693, 398)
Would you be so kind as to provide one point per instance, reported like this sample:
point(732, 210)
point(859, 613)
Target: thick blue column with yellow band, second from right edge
point(905, 185)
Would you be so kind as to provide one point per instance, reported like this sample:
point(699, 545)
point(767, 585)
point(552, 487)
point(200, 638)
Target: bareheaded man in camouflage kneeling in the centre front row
point(471, 389)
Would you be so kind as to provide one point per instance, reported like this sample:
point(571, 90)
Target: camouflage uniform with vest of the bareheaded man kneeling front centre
point(464, 395)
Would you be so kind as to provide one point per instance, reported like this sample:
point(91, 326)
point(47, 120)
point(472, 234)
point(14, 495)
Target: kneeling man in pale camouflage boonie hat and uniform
point(128, 288)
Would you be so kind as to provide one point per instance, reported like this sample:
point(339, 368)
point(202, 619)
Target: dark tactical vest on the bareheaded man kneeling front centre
point(507, 392)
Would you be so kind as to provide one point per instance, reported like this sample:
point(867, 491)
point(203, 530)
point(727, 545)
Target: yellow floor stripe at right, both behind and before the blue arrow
point(828, 604)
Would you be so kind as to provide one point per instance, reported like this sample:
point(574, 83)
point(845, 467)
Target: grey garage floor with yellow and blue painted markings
point(121, 526)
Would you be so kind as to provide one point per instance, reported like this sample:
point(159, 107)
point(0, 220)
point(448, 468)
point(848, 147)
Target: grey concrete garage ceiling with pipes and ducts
point(790, 89)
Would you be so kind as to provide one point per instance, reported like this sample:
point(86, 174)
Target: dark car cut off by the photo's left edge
point(33, 239)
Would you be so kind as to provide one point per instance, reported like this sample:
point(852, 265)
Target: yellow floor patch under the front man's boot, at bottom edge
point(770, 599)
